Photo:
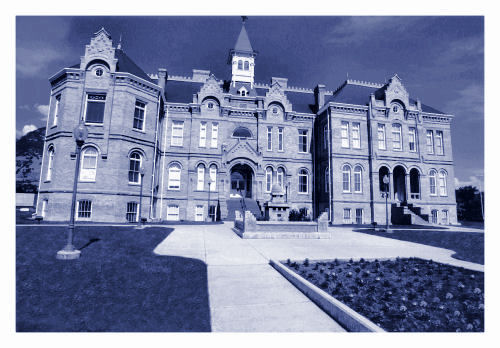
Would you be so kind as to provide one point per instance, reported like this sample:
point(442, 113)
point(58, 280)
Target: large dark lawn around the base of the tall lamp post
point(117, 285)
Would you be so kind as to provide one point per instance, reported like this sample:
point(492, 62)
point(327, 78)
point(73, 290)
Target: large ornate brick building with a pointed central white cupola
point(209, 145)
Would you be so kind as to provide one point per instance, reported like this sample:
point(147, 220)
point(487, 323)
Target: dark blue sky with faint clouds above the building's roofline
point(439, 59)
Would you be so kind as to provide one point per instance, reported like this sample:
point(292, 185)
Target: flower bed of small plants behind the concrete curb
point(403, 294)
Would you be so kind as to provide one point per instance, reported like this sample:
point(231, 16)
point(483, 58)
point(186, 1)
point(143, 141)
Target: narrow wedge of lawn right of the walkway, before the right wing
point(468, 246)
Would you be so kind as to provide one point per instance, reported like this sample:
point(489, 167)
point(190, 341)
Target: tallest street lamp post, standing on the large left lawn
point(69, 252)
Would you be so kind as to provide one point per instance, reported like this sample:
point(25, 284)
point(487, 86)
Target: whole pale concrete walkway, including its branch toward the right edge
point(248, 295)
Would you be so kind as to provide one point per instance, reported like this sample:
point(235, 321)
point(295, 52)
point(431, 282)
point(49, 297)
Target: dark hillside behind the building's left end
point(29, 149)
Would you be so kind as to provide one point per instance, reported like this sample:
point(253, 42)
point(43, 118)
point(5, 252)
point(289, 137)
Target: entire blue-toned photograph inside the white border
point(249, 174)
